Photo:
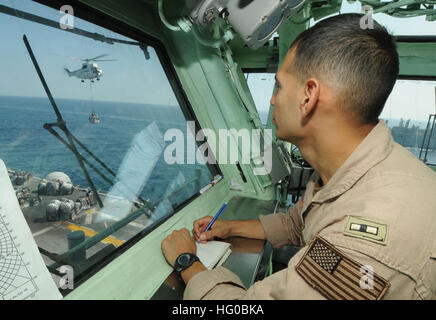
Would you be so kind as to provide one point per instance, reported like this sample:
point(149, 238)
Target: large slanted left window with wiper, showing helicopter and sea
point(117, 102)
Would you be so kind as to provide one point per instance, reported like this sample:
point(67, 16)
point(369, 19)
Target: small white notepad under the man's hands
point(213, 253)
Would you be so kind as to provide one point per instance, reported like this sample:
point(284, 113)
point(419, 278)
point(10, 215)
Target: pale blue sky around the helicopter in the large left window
point(130, 78)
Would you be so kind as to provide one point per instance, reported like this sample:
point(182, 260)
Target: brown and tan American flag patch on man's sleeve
point(336, 276)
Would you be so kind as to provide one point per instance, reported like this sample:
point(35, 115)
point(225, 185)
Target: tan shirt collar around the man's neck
point(376, 146)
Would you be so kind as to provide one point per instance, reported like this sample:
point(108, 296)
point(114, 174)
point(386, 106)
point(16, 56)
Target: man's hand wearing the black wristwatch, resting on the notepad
point(176, 243)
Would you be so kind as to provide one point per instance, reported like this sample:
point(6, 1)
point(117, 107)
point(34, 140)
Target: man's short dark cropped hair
point(362, 64)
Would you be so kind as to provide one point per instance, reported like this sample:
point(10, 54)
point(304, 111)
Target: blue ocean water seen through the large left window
point(26, 145)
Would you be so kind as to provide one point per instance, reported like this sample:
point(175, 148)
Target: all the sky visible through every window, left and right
point(133, 79)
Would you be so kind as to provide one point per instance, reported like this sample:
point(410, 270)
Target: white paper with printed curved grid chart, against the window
point(23, 274)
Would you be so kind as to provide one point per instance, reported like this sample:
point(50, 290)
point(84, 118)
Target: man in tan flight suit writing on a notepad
point(367, 221)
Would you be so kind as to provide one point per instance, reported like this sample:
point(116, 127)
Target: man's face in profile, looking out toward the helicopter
point(286, 101)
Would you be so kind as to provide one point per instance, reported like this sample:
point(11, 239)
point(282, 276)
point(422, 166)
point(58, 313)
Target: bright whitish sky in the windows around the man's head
point(409, 99)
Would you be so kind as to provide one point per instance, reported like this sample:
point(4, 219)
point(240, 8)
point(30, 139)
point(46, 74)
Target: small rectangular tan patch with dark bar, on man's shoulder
point(366, 229)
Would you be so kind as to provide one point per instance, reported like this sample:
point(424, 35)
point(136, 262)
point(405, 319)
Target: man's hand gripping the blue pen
point(220, 229)
